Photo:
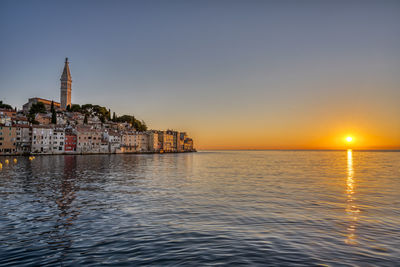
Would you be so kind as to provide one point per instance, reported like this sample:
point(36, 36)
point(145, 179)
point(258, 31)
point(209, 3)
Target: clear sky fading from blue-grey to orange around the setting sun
point(233, 74)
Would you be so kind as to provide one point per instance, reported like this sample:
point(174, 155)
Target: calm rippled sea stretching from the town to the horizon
point(207, 208)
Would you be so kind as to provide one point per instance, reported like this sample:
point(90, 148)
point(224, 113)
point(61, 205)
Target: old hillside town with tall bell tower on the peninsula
point(48, 127)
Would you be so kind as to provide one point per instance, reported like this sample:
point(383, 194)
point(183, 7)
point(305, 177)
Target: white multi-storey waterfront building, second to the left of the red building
point(42, 138)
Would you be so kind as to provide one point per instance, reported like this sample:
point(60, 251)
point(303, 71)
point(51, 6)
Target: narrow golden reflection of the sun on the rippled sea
point(351, 207)
